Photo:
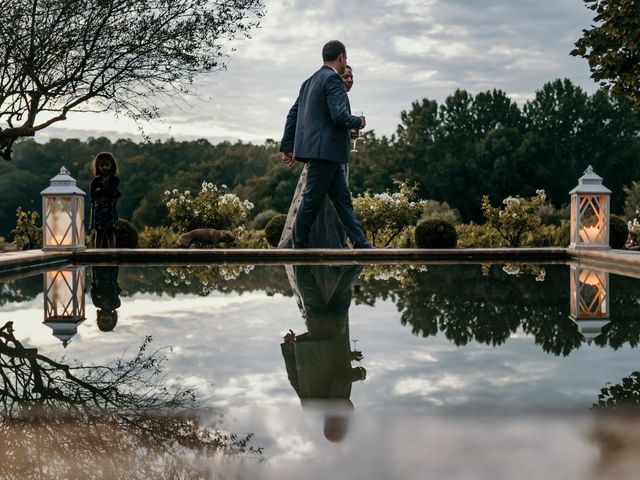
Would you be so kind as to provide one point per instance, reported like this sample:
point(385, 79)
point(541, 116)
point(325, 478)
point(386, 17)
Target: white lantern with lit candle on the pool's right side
point(590, 212)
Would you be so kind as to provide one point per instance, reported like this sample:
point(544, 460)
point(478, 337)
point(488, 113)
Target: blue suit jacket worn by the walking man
point(318, 124)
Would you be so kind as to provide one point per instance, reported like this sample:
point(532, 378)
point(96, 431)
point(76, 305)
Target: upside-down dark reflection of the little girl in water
point(105, 293)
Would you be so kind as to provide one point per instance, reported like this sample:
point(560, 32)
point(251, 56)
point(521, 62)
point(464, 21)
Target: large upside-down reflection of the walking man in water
point(318, 362)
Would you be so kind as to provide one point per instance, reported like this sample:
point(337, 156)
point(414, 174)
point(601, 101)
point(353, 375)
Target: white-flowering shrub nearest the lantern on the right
point(519, 217)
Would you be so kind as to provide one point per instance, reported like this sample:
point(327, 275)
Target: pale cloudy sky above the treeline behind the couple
point(401, 51)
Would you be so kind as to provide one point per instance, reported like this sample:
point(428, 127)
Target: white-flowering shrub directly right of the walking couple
point(386, 215)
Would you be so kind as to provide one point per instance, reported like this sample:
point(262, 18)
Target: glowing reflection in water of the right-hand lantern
point(589, 300)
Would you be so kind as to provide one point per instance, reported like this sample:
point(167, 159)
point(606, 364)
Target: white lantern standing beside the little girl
point(63, 214)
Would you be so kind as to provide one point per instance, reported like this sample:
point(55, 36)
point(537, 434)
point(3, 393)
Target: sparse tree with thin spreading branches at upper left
point(62, 56)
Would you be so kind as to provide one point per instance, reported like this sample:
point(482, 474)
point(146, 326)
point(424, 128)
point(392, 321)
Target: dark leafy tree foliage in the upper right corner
point(612, 46)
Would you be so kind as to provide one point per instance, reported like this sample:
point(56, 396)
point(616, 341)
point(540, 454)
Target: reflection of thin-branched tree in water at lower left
point(116, 421)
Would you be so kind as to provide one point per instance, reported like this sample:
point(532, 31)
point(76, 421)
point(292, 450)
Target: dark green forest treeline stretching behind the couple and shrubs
point(457, 151)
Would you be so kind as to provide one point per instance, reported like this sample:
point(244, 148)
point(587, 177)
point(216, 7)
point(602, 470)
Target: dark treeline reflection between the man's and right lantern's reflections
point(471, 303)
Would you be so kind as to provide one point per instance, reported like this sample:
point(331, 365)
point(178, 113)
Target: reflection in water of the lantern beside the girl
point(64, 301)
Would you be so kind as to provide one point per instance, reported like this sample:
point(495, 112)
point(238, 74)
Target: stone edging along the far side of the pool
point(622, 262)
